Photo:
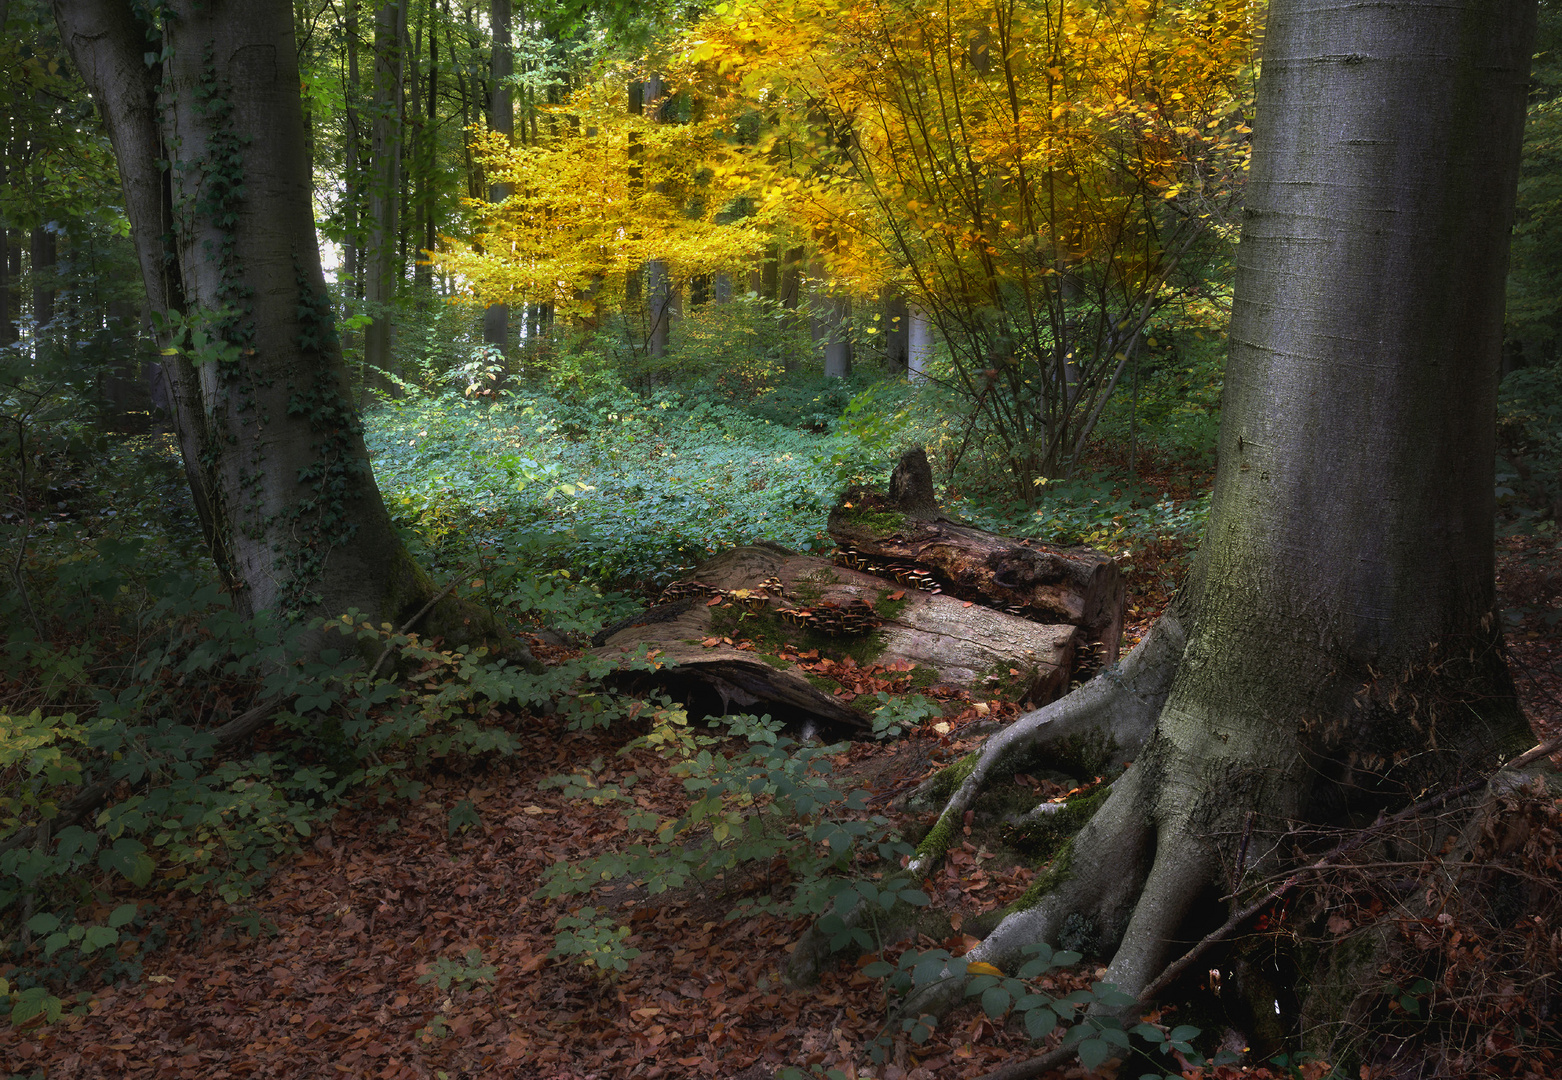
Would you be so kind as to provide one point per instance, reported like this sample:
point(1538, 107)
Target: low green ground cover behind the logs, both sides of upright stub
point(638, 488)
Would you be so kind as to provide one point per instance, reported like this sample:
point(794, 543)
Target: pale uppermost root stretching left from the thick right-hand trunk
point(1116, 713)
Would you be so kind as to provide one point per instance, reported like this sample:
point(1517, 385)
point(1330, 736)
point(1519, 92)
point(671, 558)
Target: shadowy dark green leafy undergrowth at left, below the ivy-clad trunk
point(127, 684)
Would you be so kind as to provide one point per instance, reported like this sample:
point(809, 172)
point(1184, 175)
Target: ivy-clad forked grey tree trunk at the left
point(226, 237)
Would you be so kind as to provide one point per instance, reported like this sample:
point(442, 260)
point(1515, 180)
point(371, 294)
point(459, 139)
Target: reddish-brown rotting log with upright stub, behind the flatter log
point(904, 534)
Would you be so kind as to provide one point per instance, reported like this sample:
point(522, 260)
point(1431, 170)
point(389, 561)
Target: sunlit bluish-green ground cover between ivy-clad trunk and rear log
point(640, 488)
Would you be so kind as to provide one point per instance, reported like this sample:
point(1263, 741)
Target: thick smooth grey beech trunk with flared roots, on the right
point(1333, 654)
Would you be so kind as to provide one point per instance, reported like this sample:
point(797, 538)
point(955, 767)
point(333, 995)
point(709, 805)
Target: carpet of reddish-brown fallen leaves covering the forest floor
point(340, 976)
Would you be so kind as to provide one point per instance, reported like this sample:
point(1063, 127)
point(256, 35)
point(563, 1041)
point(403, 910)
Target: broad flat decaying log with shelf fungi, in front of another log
point(768, 599)
